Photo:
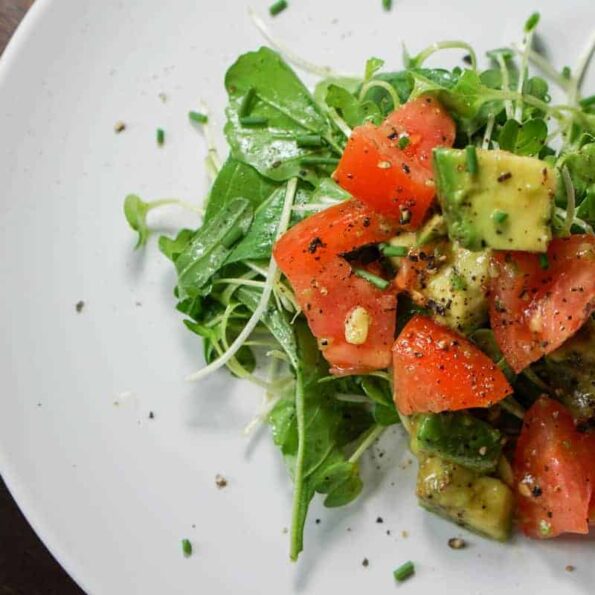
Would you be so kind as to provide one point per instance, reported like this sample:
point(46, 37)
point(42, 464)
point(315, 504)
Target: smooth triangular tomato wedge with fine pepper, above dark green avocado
point(435, 369)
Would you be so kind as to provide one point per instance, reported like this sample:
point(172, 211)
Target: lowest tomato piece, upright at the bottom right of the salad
point(553, 473)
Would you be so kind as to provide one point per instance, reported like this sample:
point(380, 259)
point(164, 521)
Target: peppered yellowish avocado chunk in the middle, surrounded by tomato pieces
point(456, 292)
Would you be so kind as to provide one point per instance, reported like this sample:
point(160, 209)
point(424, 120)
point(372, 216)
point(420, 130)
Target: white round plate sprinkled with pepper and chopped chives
point(111, 491)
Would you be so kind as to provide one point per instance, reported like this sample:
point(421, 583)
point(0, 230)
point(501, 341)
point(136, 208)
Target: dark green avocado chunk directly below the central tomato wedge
point(459, 438)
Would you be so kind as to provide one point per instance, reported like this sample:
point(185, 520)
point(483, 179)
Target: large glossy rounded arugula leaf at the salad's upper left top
point(289, 109)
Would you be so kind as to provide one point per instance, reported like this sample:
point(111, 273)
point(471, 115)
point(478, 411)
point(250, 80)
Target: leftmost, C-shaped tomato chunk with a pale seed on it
point(330, 295)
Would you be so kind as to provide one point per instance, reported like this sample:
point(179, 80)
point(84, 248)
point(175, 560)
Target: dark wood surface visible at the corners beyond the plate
point(26, 566)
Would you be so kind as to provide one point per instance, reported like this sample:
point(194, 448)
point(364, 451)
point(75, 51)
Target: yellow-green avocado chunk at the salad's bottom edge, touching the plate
point(479, 503)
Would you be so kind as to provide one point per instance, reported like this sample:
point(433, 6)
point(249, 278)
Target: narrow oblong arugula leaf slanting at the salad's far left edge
point(210, 246)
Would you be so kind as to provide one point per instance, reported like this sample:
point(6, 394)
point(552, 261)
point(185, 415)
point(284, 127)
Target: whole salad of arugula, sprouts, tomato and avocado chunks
point(408, 247)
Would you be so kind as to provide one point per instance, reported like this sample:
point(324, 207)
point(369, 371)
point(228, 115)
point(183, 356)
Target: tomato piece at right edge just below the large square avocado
point(534, 310)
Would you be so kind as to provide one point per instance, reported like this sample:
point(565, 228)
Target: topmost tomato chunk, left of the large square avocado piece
point(395, 181)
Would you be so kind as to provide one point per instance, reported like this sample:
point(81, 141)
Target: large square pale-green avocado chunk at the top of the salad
point(505, 204)
